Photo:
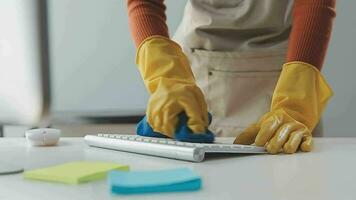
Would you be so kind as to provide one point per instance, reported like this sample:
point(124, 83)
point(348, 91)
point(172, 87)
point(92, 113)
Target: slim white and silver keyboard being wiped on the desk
point(167, 148)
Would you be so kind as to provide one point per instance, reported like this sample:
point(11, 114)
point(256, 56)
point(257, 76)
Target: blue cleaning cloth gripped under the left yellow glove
point(182, 132)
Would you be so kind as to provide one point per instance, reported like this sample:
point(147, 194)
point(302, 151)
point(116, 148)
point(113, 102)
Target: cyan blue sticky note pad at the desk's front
point(134, 182)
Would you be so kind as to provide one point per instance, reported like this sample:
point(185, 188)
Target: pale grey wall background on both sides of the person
point(93, 60)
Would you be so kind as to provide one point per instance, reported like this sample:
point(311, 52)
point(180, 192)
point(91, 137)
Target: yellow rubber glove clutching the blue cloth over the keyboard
point(169, 79)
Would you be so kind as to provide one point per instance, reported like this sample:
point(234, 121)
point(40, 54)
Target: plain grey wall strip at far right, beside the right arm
point(340, 70)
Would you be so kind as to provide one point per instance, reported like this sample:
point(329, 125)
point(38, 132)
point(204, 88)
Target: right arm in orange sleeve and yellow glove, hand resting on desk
point(301, 93)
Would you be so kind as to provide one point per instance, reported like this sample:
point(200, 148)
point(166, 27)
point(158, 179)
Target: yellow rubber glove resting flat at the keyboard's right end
point(298, 101)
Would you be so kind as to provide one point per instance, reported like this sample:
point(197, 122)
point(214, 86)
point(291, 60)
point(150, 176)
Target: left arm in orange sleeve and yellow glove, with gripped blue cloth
point(176, 107)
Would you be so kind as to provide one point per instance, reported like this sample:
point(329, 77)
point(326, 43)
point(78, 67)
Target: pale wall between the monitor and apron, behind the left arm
point(93, 56)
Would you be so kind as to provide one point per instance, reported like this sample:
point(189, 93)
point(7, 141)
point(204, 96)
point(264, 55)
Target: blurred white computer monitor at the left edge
point(24, 62)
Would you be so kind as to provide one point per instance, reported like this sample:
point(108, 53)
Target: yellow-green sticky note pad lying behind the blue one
point(74, 172)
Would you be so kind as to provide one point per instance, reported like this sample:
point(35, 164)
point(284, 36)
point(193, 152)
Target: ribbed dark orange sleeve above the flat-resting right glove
point(311, 30)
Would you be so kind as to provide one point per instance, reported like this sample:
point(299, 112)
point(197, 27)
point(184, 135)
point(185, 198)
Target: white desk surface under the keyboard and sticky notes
point(329, 172)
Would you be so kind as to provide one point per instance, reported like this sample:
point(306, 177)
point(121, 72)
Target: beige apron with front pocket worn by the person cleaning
point(236, 49)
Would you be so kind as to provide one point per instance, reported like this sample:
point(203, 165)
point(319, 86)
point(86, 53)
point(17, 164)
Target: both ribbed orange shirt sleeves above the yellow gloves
point(308, 41)
